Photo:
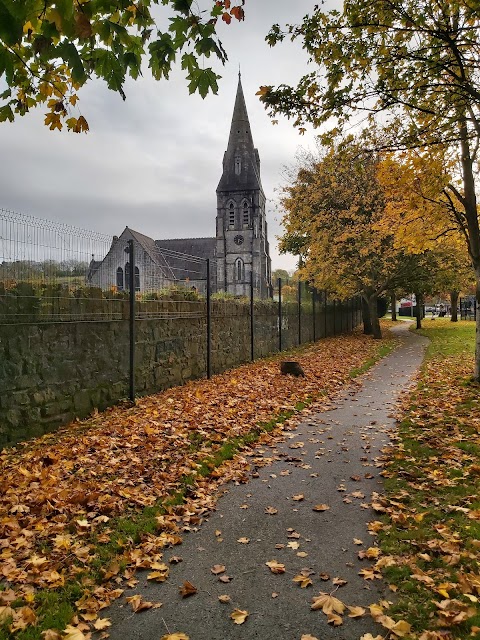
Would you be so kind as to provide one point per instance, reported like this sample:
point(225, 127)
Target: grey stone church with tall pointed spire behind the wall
point(238, 251)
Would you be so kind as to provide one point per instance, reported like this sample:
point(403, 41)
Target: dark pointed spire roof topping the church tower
point(241, 162)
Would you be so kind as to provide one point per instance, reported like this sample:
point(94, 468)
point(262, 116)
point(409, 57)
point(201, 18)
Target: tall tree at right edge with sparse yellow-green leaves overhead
point(417, 65)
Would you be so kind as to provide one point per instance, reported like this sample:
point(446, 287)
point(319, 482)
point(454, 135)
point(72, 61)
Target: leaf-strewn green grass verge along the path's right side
point(430, 531)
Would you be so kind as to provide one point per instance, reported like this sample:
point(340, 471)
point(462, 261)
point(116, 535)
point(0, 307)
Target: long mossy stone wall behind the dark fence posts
point(51, 373)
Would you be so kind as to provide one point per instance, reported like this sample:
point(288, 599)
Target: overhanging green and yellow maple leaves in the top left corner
point(50, 48)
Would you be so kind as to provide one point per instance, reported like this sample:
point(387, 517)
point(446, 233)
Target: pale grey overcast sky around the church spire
point(154, 161)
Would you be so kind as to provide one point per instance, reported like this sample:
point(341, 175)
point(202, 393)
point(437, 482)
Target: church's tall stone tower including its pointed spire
point(242, 245)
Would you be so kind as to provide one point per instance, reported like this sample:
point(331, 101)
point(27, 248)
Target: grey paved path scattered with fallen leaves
point(329, 459)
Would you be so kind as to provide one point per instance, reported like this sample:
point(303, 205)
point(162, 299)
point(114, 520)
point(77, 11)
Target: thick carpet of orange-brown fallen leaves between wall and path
point(61, 495)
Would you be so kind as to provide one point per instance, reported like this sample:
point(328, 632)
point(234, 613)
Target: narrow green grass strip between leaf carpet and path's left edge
point(56, 607)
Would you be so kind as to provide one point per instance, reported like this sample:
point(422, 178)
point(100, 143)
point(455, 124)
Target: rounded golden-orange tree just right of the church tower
point(334, 204)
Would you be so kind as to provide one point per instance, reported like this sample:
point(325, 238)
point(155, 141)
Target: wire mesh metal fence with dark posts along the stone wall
point(55, 273)
